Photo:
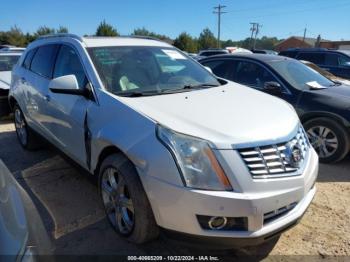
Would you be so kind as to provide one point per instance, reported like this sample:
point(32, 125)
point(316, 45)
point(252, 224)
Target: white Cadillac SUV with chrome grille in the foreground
point(174, 147)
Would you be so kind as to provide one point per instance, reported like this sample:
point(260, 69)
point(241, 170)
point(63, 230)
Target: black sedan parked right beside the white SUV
point(323, 105)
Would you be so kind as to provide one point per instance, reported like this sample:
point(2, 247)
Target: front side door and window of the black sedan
point(259, 77)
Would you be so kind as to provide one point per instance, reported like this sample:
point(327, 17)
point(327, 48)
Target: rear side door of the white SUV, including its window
point(36, 81)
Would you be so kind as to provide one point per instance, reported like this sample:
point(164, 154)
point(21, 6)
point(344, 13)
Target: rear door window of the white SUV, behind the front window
point(43, 60)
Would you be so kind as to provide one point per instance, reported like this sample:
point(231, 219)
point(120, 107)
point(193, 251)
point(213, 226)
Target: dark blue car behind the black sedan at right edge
point(336, 62)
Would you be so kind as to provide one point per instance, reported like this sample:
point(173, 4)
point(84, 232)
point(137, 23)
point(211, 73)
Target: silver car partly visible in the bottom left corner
point(22, 233)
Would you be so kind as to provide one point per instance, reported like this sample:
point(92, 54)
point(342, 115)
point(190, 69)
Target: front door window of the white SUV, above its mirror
point(68, 63)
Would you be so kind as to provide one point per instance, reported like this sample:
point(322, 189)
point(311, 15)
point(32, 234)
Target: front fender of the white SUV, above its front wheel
point(115, 124)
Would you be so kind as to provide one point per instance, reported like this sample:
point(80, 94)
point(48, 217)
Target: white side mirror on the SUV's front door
point(67, 84)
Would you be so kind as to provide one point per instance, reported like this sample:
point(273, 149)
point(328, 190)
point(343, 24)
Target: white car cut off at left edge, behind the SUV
point(7, 60)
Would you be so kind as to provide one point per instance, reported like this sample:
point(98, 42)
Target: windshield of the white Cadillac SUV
point(151, 70)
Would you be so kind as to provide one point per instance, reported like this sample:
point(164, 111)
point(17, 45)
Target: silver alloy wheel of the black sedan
point(324, 140)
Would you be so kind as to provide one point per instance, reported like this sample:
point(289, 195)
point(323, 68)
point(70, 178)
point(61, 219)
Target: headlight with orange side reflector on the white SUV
point(197, 162)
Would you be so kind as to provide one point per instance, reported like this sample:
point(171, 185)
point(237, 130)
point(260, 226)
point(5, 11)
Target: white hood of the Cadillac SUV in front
point(227, 116)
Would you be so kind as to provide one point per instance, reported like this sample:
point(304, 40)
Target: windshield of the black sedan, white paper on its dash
point(299, 75)
